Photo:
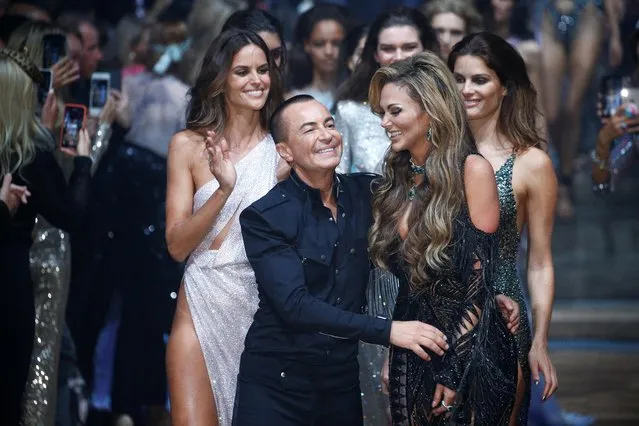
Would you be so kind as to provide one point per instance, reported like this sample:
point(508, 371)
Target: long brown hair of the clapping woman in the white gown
point(207, 105)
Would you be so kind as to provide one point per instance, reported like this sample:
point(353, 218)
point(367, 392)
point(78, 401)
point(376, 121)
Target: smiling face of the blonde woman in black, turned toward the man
point(405, 121)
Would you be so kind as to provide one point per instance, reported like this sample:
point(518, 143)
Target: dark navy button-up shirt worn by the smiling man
point(311, 271)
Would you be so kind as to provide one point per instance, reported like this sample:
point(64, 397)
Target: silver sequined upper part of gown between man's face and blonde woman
point(365, 141)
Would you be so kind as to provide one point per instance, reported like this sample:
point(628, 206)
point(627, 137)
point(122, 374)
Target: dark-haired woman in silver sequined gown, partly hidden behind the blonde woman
point(394, 35)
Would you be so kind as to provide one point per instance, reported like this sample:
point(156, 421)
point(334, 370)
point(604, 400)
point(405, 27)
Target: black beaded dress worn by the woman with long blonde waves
point(481, 361)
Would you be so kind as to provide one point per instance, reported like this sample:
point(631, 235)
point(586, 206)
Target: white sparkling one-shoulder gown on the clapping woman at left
point(220, 284)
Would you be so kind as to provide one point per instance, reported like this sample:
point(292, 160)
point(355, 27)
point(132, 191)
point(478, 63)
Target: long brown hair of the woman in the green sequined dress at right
point(518, 115)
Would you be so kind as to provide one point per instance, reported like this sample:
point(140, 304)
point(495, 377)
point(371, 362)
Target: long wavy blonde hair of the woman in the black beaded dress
point(431, 85)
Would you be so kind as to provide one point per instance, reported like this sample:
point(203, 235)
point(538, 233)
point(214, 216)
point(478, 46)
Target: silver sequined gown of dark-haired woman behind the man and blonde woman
point(365, 144)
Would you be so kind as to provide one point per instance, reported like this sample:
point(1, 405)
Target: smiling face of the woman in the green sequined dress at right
point(480, 87)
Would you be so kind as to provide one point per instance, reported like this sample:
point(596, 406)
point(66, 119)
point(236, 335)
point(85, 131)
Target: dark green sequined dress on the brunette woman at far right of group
point(506, 278)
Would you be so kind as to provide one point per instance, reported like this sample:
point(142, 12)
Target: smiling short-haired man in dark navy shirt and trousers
point(307, 242)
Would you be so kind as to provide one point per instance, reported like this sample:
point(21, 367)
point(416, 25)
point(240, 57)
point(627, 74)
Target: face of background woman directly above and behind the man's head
point(323, 46)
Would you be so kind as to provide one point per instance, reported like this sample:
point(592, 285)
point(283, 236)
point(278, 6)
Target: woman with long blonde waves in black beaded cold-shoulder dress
point(435, 212)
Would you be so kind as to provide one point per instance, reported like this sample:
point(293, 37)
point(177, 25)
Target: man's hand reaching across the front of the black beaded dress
point(416, 336)
